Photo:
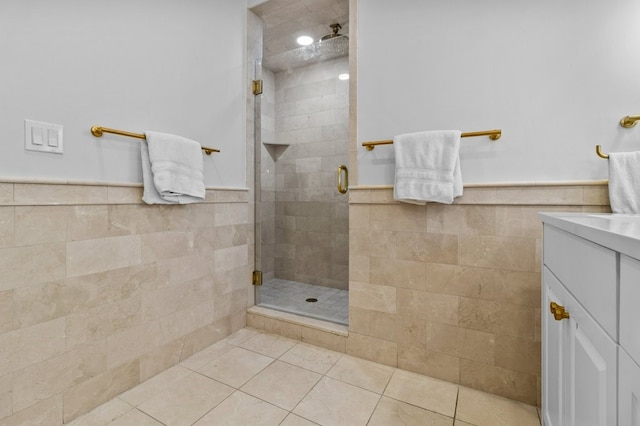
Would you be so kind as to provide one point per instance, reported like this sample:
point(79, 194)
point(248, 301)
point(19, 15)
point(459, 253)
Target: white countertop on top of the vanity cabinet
point(619, 232)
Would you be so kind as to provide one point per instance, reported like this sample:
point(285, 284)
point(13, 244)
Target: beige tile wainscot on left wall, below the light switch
point(99, 292)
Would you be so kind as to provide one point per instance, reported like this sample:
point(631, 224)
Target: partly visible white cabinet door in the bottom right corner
point(629, 391)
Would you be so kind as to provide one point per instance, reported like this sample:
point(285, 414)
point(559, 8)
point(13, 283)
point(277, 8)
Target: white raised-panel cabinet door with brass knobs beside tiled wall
point(585, 364)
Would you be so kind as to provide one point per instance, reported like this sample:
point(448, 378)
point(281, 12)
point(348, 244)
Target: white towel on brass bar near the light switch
point(171, 169)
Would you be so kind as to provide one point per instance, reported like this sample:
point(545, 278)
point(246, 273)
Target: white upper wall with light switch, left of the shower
point(169, 65)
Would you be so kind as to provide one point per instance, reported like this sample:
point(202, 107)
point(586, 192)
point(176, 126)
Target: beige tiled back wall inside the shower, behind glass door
point(311, 217)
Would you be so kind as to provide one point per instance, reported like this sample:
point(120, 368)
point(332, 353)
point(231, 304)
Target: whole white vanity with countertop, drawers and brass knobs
point(590, 321)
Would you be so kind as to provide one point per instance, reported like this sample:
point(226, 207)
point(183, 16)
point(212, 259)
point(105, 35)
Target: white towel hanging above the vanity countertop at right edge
point(624, 182)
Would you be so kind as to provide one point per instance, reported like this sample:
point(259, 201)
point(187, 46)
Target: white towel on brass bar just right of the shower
point(427, 167)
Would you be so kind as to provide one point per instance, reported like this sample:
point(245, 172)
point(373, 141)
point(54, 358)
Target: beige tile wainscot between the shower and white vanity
point(453, 291)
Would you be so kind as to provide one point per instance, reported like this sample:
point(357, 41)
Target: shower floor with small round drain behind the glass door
point(291, 296)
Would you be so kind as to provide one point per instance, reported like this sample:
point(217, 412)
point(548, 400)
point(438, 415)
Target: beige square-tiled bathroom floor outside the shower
point(254, 378)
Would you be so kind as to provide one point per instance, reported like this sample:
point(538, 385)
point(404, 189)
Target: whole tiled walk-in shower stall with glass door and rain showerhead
point(301, 149)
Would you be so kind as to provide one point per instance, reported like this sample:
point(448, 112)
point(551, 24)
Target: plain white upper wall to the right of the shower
point(555, 76)
